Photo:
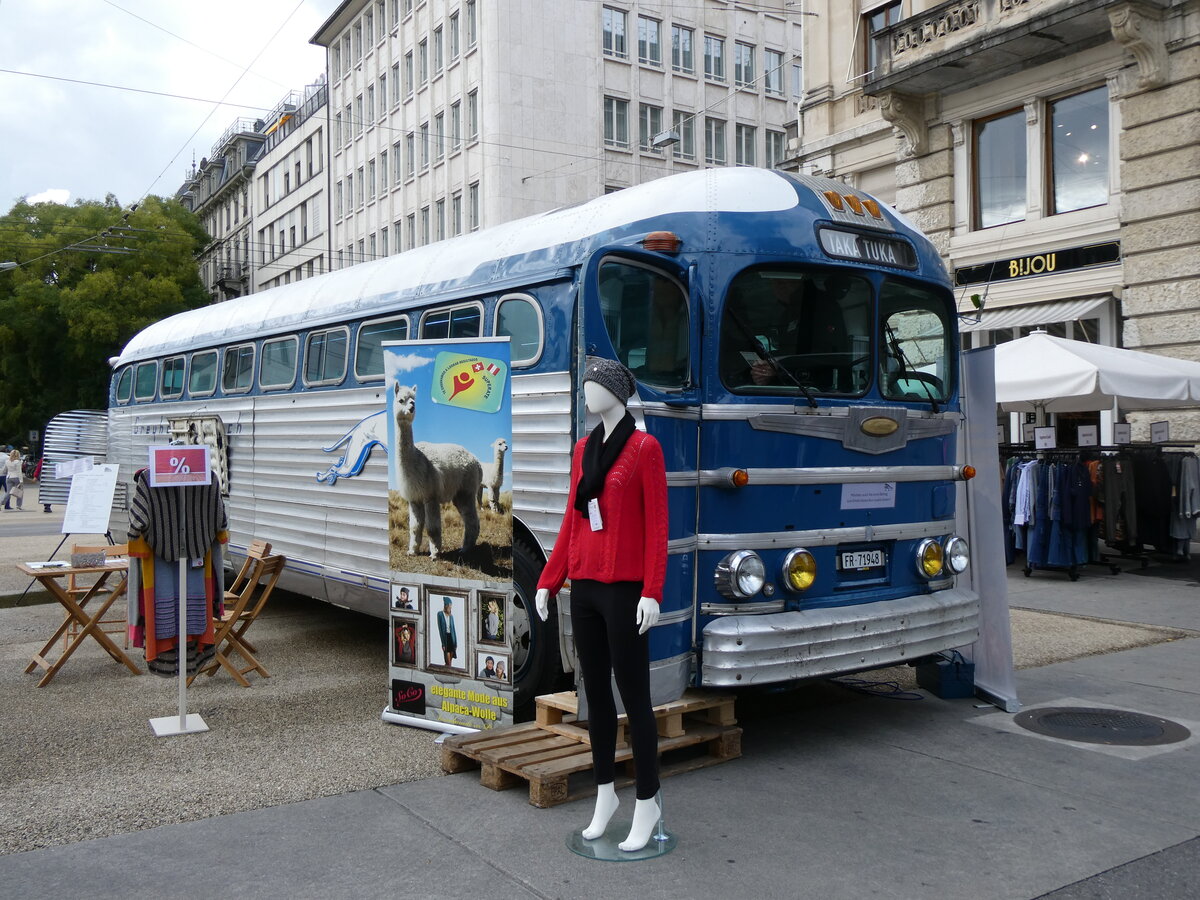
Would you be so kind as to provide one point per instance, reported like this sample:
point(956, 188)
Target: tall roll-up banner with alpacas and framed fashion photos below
point(453, 655)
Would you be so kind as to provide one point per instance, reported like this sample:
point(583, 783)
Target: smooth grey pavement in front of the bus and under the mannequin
point(838, 795)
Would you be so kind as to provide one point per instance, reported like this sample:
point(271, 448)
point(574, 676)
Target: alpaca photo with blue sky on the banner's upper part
point(447, 512)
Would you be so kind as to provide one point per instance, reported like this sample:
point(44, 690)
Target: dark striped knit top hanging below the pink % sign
point(157, 512)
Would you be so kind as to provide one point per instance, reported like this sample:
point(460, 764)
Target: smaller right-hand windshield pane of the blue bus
point(915, 358)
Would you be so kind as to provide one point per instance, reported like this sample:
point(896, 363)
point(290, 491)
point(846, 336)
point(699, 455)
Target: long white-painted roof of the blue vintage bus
point(544, 244)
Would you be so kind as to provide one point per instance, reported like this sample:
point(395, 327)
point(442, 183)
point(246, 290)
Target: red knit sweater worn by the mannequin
point(633, 544)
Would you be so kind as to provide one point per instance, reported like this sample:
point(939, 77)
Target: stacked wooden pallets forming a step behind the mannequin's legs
point(550, 751)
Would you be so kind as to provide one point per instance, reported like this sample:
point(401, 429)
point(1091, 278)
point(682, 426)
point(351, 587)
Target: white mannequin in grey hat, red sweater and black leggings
point(613, 545)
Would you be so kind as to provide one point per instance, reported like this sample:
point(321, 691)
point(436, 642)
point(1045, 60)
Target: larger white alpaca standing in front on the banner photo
point(433, 475)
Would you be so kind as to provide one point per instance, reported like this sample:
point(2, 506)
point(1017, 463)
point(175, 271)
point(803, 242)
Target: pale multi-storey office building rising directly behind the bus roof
point(448, 116)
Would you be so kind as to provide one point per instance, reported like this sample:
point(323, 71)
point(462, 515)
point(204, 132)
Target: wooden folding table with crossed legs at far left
point(100, 596)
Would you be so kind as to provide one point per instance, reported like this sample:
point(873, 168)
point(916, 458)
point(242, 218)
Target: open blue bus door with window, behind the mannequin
point(640, 310)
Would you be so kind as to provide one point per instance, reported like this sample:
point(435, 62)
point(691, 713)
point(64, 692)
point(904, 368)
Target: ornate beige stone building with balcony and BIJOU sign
point(1049, 148)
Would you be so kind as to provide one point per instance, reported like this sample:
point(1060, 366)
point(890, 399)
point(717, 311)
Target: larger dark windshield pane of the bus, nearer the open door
point(791, 329)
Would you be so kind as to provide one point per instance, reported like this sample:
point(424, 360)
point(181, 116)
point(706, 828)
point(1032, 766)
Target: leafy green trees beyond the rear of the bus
point(91, 277)
